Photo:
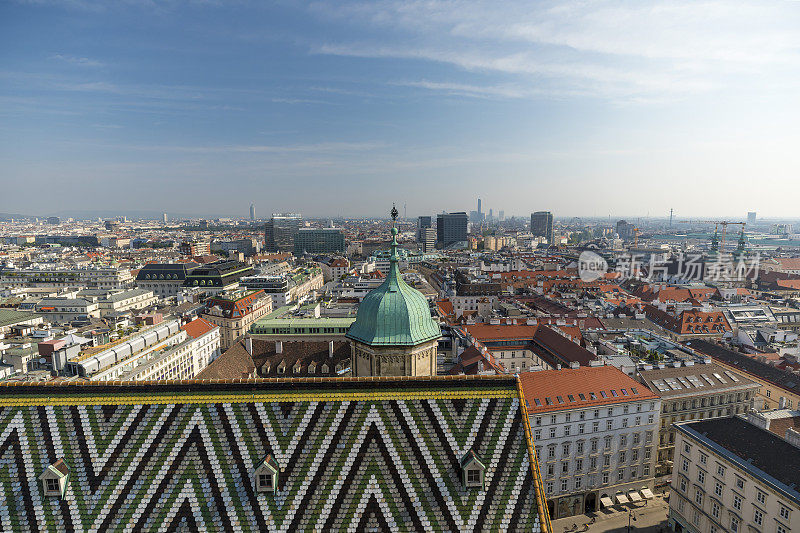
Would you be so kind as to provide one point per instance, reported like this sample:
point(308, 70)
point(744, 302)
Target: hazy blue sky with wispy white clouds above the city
point(341, 108)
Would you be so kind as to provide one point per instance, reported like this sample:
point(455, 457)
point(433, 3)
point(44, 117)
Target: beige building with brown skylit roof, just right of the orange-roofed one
point(694, 392)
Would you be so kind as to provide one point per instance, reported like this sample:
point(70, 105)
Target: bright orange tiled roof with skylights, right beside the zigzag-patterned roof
point(580, 387)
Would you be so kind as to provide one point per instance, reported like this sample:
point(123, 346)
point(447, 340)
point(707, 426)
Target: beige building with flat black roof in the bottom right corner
point(733, 476)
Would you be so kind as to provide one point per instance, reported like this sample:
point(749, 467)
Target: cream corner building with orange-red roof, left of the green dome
point(235, 311)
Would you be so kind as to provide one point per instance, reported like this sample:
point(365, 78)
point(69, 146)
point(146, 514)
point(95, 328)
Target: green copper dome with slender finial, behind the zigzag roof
point(394, 314)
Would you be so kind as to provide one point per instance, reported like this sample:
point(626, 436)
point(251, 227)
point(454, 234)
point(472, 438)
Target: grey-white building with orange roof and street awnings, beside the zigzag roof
point(594, 432)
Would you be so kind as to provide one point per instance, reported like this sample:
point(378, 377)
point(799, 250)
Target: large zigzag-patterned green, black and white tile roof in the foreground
point(372, 454)
